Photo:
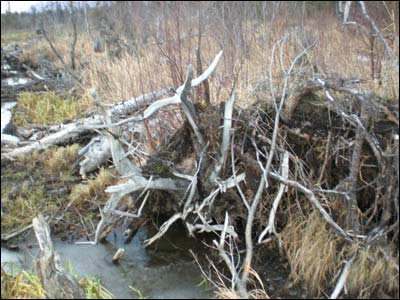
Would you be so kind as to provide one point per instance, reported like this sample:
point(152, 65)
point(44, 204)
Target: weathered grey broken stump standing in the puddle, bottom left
point(57, 283)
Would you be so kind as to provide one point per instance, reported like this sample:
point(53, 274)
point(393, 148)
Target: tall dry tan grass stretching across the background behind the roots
point(337, 53)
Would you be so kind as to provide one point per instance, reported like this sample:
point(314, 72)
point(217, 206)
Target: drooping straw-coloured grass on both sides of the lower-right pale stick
point(316, 258)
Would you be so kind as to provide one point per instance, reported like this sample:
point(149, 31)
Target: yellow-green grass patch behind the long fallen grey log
point(45, 109)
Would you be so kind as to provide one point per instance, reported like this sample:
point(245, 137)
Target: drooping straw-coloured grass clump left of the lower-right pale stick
point(312, 251)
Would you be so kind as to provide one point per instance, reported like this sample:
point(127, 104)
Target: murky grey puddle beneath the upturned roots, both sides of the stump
point(165, 272)
